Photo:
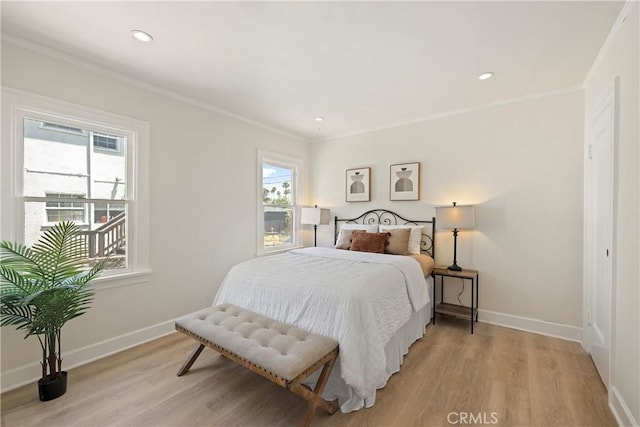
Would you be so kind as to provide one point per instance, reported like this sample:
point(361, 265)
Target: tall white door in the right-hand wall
point(599, 234)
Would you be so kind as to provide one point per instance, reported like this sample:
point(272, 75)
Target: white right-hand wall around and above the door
point(621, 59)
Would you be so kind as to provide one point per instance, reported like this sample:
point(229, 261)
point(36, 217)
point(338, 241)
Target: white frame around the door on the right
point(611, 96)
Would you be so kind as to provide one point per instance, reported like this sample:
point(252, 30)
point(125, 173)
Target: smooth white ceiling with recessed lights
point(360, 65)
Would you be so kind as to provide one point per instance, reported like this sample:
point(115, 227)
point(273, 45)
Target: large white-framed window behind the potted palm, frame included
point(78, 165)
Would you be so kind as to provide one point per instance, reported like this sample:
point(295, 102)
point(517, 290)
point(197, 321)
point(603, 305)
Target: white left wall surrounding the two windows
point(203, 205)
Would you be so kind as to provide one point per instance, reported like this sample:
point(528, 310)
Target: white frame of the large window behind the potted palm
point(18, 105)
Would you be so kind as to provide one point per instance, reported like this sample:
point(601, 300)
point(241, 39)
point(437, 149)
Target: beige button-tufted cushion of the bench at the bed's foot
point(282, 349)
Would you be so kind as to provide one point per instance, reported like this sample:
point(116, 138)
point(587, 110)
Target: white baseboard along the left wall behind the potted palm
point(30, 373)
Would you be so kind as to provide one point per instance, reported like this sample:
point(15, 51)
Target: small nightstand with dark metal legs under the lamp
point(456, 310)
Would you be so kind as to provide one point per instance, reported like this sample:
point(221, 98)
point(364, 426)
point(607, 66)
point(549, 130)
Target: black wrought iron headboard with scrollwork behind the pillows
point(387, 217)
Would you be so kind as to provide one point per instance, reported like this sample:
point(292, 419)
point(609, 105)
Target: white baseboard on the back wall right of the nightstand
point(557, 330)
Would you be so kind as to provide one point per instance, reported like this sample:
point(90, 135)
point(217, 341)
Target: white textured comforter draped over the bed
point(359, 299)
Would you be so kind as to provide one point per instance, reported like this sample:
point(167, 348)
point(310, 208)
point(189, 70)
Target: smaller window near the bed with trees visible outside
point(277, 229)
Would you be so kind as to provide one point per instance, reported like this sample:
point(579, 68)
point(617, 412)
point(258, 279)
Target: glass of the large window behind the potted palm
point(74, 174)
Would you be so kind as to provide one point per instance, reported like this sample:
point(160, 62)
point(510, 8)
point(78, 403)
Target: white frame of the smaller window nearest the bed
point(285, 162)
